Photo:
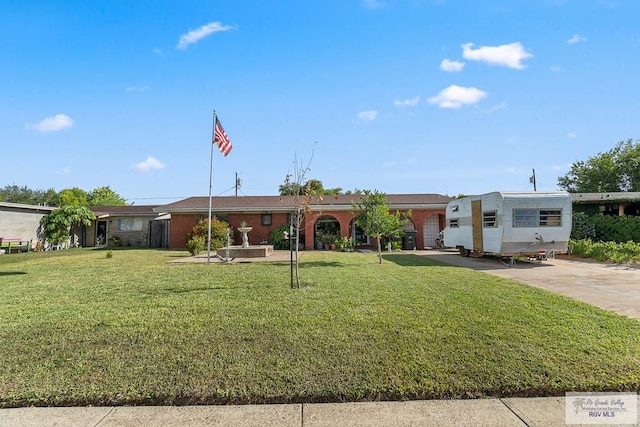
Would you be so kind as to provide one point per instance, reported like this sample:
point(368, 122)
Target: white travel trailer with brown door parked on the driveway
point(509, 224)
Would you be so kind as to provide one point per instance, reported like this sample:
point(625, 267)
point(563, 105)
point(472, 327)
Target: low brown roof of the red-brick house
point(286, 203)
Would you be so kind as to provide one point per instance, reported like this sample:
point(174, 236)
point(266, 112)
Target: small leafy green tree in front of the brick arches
point(374, 217)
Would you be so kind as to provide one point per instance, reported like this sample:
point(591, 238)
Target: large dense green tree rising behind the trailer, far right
point(615, 170)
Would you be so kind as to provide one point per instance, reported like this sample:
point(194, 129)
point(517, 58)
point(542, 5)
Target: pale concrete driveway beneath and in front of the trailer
point(609, 286)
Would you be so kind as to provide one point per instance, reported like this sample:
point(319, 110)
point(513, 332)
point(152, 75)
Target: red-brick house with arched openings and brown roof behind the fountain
point(329, 215)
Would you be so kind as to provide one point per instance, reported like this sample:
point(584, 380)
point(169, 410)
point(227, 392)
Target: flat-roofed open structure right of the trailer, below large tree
point(615, 204)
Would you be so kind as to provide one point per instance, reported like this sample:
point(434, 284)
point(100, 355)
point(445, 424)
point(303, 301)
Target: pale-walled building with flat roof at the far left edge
point(22, 221)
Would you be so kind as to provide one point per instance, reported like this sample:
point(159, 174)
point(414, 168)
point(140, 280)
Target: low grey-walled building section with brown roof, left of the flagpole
point(138, 226)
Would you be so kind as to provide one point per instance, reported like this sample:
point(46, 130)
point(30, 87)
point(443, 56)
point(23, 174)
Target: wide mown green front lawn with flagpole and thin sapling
point(78, 328)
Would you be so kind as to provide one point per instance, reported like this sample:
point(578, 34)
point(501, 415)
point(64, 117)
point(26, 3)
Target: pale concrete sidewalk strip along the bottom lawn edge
point(540, 411)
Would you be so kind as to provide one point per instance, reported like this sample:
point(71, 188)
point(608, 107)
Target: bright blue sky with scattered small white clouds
point(400, 96)
